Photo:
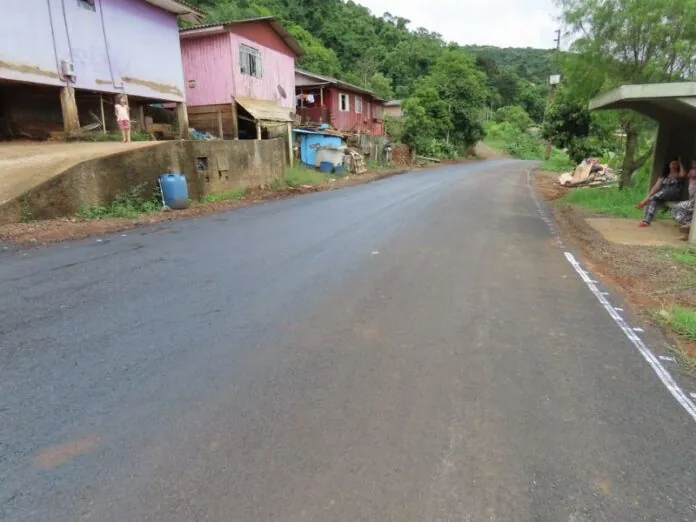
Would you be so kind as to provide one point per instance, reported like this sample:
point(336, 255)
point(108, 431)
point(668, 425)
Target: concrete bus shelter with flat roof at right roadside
point(672, 106)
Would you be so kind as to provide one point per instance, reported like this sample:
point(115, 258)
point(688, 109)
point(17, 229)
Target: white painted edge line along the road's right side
point(661, 372)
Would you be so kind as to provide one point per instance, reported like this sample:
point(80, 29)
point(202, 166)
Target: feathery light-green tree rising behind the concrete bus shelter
point(629, 41)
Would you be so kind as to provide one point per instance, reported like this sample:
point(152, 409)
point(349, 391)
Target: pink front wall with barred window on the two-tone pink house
point(278, 70)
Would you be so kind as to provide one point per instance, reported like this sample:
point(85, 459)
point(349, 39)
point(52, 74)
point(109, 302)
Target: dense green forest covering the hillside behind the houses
point(445, 87)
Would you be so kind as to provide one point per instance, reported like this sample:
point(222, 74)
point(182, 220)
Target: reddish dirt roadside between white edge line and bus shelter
point(646, 275)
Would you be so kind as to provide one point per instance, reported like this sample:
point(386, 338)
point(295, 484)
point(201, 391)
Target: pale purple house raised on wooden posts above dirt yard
point(62, 62)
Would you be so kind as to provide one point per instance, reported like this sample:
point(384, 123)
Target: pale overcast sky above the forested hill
point(503, 23)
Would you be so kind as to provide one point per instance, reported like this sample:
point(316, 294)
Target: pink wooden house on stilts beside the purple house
point(240, 77)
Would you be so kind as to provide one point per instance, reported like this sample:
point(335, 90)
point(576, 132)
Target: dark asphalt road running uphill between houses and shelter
point(416, 349)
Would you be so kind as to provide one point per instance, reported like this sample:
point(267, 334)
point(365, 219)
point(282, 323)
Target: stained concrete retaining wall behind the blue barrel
point(210, 167)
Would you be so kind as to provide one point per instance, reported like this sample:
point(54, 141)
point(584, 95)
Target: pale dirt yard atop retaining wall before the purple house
point(24, 165)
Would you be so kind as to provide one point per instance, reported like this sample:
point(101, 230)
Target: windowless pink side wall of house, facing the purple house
point(208, 61)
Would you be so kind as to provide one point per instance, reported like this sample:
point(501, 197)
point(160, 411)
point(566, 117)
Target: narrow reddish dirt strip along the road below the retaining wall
point(66, 229)
